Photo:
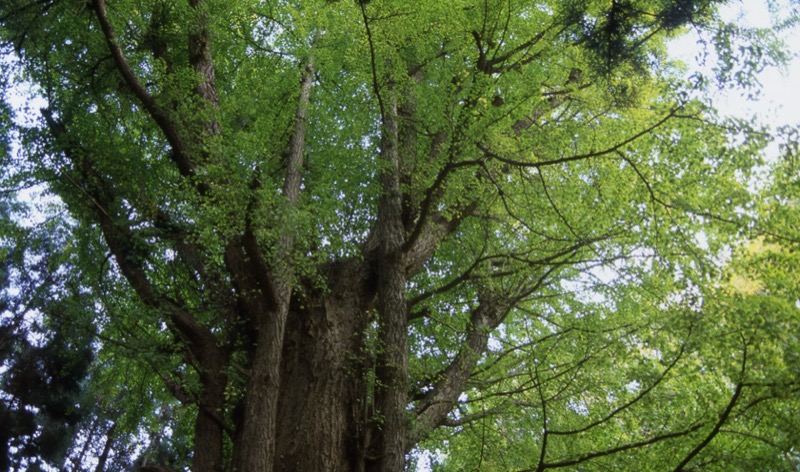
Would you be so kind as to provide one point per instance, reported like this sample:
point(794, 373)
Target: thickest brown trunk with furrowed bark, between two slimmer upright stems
point(322, 402)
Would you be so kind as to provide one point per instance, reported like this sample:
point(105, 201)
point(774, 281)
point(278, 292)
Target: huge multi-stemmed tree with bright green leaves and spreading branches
point(331, 235)
